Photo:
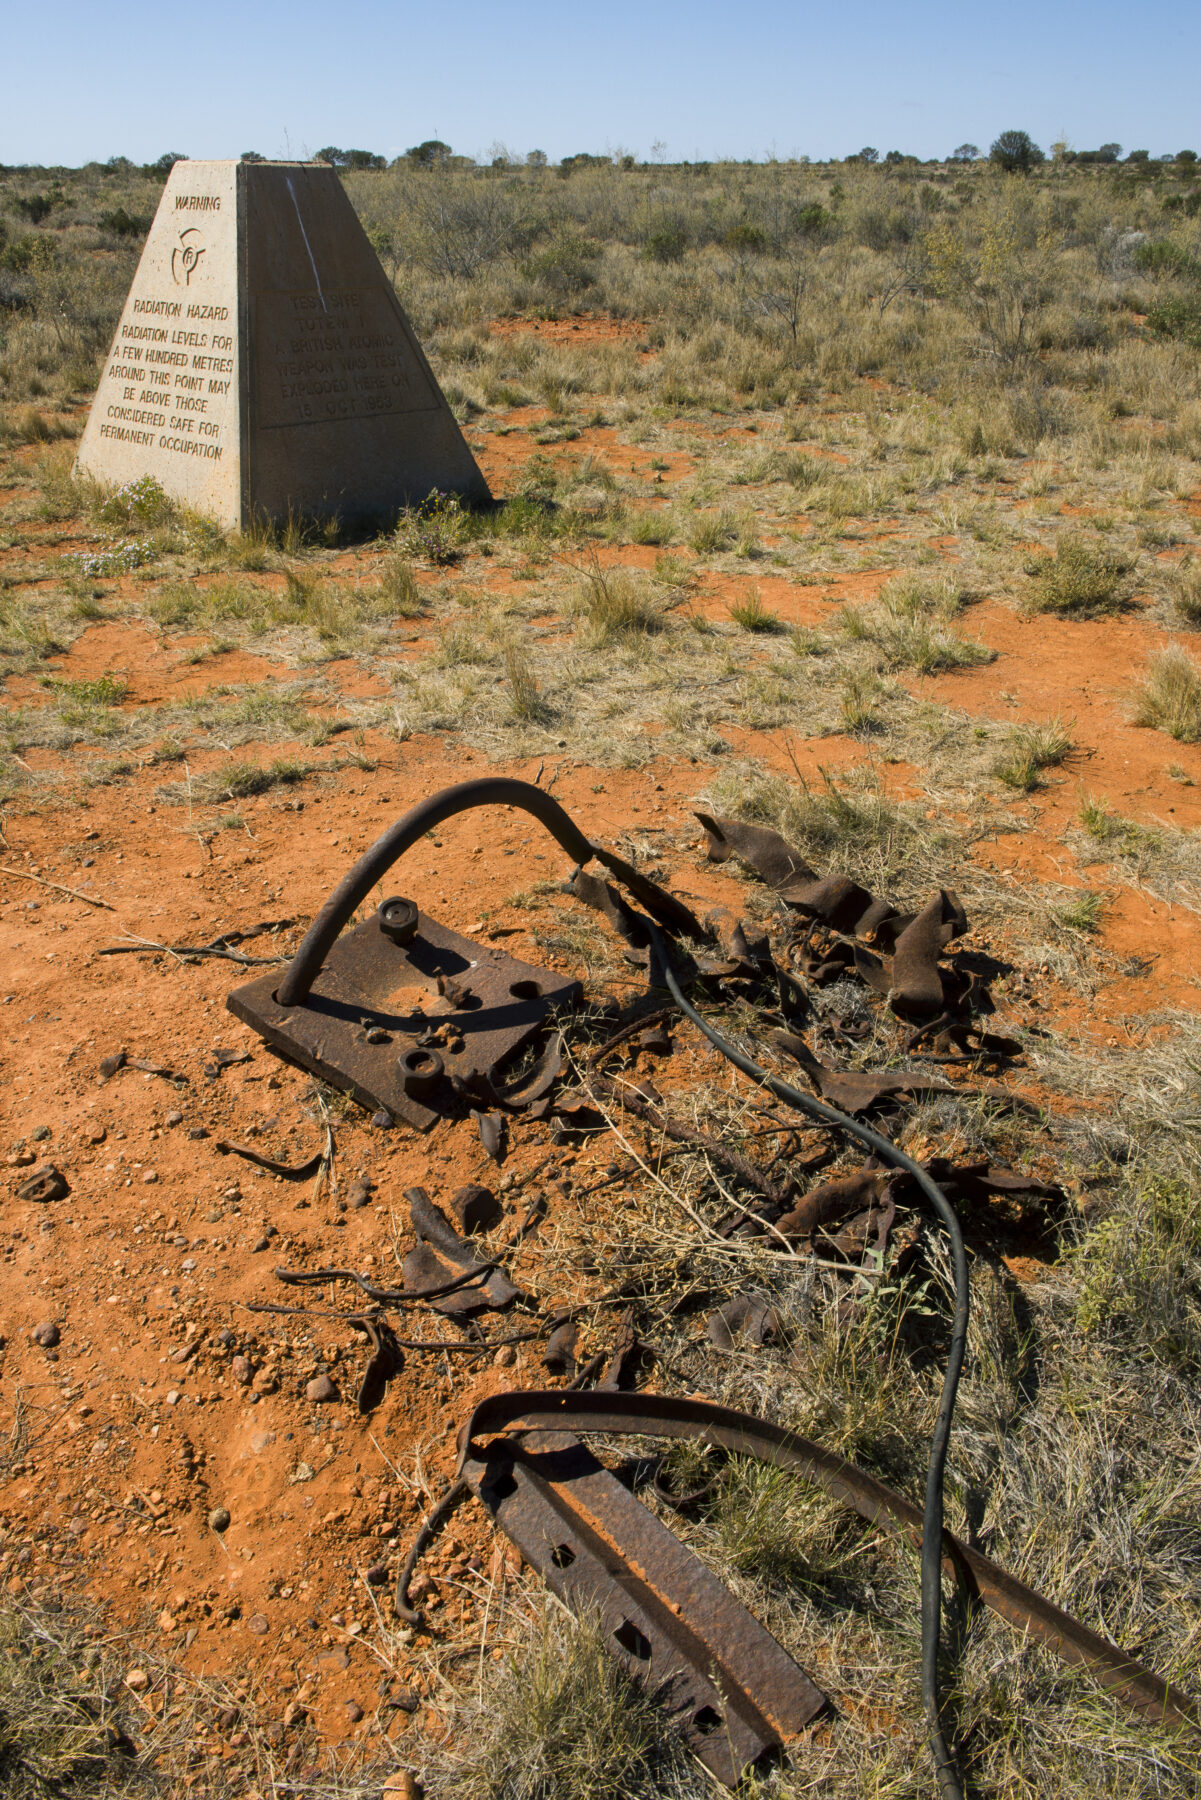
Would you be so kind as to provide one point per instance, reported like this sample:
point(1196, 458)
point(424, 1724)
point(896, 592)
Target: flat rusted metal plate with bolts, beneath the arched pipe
point(411, 1018)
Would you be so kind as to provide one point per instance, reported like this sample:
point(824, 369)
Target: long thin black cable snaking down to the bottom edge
point(932, 1525)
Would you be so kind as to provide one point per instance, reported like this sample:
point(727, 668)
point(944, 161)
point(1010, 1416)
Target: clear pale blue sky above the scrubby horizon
point(755, 80)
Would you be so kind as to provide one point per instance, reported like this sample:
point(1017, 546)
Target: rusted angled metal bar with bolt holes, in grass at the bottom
point(736, 1695)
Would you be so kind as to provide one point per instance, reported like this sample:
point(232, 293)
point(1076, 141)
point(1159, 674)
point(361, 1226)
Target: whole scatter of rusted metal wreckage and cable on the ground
point(420, 1023)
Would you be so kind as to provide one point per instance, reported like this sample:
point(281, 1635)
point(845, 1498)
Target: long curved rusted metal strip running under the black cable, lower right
point(667, 1417)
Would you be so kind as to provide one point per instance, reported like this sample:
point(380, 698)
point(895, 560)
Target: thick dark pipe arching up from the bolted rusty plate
point(375, 863)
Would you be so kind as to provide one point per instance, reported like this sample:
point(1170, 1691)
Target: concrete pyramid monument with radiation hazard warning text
point(264, 364)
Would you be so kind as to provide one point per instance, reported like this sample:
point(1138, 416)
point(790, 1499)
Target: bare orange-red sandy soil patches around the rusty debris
point(132, 1439)
